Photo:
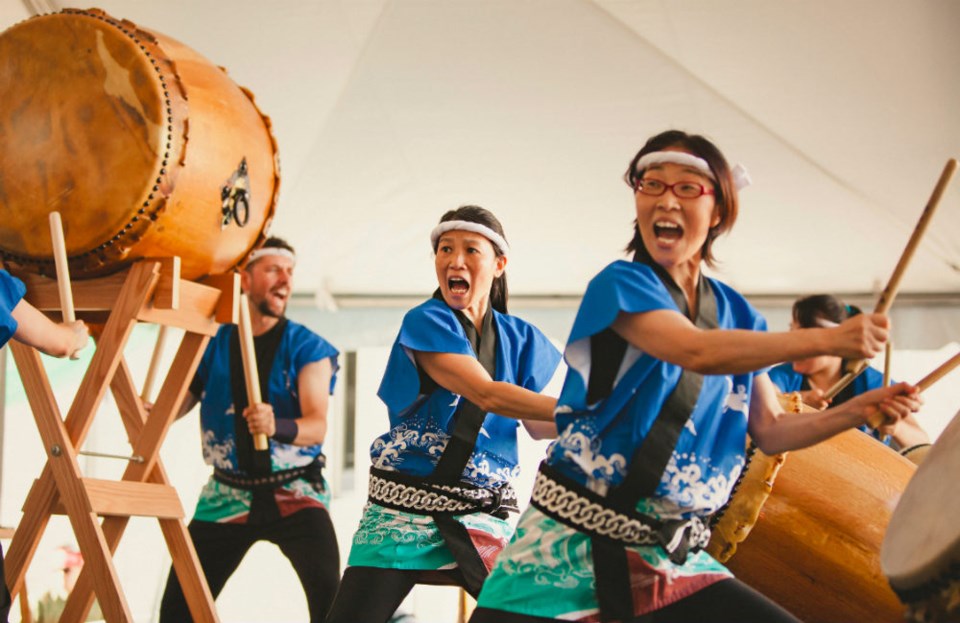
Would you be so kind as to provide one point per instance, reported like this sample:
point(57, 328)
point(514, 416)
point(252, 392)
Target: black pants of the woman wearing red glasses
point(721, 602)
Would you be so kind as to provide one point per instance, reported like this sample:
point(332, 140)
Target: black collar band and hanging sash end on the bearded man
point(249, 460)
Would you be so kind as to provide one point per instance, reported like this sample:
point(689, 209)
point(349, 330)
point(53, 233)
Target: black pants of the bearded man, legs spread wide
point(306, 538)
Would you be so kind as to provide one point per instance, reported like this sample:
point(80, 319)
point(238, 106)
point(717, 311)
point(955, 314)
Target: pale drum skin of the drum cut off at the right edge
point(923, 537)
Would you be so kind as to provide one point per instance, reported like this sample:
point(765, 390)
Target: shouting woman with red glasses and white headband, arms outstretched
point(665, 377)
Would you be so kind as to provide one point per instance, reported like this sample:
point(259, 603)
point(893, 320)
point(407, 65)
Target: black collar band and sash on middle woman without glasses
point(469, 419)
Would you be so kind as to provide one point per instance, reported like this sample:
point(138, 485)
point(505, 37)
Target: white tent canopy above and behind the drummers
point(389, 112)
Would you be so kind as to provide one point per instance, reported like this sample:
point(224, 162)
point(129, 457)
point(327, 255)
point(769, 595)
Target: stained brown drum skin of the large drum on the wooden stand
point(82, 112)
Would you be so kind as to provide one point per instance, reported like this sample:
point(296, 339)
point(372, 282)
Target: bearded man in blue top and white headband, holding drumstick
point(236, 508)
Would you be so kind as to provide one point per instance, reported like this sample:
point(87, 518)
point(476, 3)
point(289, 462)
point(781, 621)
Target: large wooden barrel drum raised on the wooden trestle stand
point(145, 148)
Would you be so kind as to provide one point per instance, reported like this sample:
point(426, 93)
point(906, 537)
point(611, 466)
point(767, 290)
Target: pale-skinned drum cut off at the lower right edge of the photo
point(921, 550)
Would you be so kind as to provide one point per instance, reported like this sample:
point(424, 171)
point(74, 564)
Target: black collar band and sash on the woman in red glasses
point(649, 460)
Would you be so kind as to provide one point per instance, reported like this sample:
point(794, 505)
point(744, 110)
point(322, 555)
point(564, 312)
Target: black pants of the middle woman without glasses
point(372, 595)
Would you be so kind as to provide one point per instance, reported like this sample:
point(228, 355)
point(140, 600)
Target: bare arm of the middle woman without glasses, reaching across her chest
point(462, 374)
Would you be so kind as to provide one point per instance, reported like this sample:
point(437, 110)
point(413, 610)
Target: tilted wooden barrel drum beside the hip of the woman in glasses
point(805, 528)
